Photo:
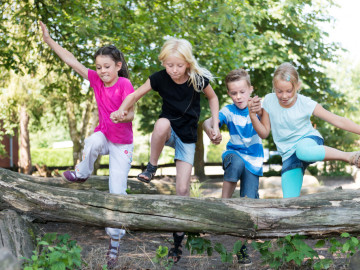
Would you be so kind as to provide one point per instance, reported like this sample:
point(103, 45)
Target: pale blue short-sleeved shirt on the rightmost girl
point(289, 125)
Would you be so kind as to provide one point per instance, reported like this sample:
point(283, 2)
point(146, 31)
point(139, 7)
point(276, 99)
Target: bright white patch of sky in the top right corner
point(346, 28)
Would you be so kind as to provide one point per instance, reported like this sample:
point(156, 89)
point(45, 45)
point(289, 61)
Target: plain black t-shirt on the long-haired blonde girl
point(181, 104)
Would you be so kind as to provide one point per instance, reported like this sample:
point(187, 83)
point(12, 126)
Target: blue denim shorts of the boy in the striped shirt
point(235, 169)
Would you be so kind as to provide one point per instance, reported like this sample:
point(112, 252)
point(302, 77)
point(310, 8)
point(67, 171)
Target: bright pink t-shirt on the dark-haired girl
point(109, 100)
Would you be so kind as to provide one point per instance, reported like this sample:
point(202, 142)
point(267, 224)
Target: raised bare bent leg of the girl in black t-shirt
point(161, 133)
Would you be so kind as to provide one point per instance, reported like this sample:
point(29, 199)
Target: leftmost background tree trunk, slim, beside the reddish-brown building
point(25, 165)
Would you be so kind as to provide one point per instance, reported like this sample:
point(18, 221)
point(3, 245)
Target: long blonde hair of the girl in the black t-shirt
point(182, 48)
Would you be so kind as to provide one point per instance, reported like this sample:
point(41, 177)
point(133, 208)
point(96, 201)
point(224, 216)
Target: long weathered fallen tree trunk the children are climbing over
point(316, 214)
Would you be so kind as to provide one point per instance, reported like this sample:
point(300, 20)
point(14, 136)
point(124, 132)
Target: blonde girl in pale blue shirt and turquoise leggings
point(287, 113)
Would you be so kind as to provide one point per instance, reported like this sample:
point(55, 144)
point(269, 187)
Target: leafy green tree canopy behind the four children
point(225, 35)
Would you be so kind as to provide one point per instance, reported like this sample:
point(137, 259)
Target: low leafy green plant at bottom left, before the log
point(56, 253)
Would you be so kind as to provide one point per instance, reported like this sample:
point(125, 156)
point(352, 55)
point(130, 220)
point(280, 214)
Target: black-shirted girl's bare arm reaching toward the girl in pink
point(129, 102)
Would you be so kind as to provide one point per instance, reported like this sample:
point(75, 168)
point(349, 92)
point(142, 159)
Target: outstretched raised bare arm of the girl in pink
point(64, 54)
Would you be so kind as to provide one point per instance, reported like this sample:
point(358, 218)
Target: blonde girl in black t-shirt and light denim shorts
point(179, 86)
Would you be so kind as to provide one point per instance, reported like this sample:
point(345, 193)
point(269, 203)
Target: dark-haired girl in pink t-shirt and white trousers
point(111, 86)
